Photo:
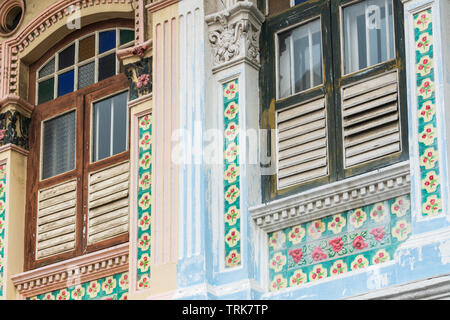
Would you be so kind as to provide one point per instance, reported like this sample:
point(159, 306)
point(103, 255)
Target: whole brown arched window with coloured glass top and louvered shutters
point(79, 140)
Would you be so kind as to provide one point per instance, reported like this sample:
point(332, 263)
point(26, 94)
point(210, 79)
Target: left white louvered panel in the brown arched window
point(56, 221)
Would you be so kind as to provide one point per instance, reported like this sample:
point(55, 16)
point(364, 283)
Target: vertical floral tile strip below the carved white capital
point(231, 175)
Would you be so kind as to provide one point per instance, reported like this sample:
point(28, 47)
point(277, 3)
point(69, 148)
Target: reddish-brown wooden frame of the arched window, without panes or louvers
point(82, 101)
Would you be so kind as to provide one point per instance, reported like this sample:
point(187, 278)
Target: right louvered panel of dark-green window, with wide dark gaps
point(371, 122)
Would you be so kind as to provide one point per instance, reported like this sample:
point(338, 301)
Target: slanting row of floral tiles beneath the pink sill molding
point(109, 288)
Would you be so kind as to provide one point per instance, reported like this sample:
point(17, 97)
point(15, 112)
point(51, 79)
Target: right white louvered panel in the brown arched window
point(108, 203)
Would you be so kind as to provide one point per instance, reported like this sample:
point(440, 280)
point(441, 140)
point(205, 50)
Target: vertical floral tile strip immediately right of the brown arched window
point(144, 202)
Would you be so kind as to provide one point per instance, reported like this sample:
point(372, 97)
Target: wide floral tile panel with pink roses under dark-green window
point(338, 244)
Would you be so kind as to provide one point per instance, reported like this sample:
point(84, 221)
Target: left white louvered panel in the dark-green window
point(302, 143)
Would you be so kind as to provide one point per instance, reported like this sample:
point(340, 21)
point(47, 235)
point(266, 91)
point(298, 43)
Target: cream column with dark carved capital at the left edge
point(15, 116)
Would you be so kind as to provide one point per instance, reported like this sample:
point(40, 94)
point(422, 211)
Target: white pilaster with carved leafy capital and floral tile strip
point(235, 179)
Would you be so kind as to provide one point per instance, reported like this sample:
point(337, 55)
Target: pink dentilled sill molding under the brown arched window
point(64, 274)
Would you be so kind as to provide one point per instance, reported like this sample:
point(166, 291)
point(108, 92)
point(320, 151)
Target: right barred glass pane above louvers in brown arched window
point(110, 127)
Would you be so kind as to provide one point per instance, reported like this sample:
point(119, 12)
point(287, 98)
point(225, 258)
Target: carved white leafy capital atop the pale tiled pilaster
point(234, 35)
